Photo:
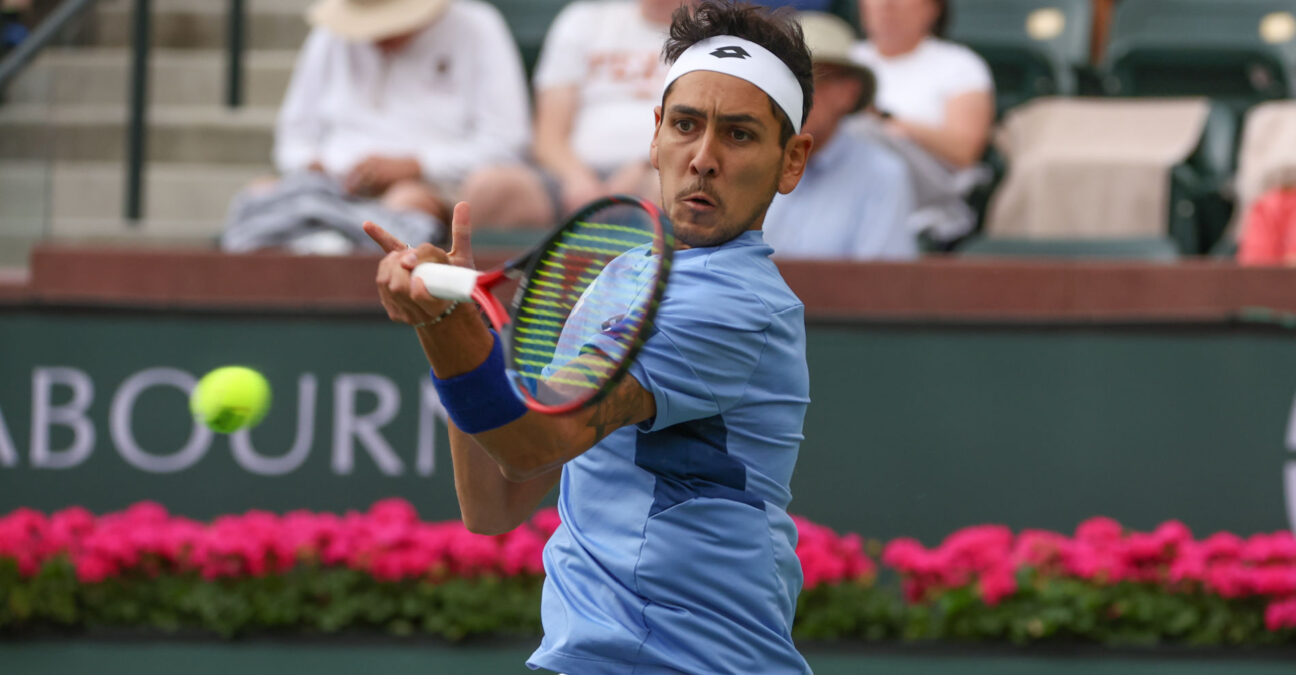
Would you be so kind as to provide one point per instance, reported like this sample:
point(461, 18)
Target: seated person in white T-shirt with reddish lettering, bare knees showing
point(598, 80)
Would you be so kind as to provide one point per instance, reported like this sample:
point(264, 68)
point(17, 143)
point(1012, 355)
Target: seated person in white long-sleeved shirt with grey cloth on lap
point(392, 106)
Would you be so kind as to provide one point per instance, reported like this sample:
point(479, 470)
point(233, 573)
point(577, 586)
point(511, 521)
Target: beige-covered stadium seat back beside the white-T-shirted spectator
point(1080, 152)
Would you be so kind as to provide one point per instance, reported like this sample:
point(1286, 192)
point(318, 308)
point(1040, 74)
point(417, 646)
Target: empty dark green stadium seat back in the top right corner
point(1237, 51)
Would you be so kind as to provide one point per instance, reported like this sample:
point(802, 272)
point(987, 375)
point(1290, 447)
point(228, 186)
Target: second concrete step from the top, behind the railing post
point(177, 77)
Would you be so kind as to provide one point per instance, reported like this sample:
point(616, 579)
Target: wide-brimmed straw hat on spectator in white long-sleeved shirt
point(374, 20)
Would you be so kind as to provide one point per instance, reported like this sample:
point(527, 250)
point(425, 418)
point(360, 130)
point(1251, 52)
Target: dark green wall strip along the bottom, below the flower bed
point(270, 659)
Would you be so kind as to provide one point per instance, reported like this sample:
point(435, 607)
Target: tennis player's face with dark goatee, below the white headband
point(719, 155)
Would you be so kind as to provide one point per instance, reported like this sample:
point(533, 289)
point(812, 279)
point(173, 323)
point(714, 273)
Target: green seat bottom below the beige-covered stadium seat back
point(1162, 251)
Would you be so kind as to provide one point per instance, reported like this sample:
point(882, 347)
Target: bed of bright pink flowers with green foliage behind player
point(387, 571)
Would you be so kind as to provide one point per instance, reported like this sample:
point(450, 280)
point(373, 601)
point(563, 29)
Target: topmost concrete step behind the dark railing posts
point(202, 24)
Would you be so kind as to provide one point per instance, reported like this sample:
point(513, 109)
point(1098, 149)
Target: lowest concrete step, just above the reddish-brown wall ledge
point(85, 199)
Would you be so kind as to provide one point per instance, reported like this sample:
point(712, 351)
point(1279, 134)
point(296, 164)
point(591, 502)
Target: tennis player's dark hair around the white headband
point(774, 30)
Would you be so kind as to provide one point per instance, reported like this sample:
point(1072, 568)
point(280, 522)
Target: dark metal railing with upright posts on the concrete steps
point(138, 97)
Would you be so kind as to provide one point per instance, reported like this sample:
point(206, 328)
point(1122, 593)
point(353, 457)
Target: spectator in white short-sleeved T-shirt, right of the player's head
point(938, 94)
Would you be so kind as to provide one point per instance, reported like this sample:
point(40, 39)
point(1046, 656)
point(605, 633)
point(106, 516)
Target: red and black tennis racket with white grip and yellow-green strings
point(584, 306)
